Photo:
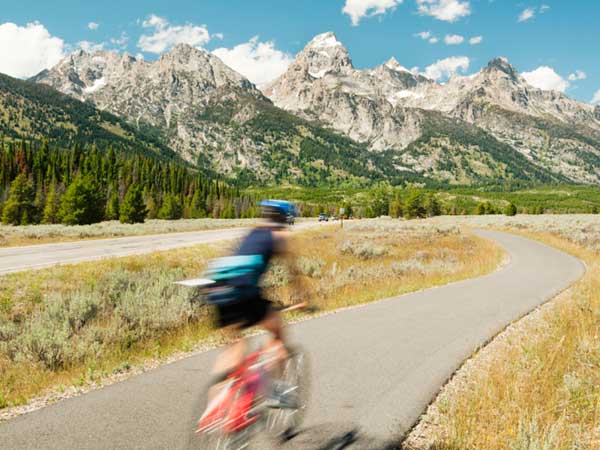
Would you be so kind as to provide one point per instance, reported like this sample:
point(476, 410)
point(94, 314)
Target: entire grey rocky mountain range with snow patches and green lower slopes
point(325, 120)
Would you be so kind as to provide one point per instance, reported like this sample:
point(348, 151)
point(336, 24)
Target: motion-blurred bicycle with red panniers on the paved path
point(244, 405)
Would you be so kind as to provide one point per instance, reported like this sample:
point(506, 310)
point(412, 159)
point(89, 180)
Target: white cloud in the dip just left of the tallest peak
point(260, 62)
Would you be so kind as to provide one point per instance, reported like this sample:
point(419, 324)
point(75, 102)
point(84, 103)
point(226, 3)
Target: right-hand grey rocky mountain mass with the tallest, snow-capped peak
point(390, 107)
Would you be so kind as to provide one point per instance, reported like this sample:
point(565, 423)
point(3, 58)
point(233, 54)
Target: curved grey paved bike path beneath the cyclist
point(375, 367)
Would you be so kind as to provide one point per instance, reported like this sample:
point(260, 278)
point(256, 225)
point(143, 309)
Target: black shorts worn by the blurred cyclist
point(250, 309)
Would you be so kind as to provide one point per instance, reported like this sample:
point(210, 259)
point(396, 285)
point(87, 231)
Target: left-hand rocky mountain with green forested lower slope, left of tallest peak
point(212, 115)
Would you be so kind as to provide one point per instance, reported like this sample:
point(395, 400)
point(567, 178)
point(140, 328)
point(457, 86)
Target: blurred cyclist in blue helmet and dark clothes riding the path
point(248, 307)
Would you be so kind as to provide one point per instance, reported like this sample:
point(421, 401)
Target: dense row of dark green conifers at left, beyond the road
point(79, 185)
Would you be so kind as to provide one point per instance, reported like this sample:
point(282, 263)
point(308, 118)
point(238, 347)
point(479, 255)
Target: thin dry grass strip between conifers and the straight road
point(42, 234)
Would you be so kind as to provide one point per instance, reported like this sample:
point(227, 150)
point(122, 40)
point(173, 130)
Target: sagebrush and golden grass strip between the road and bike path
point(74, 325)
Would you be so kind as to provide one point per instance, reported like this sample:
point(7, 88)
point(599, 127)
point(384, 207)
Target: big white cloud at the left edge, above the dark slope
point(25, 51)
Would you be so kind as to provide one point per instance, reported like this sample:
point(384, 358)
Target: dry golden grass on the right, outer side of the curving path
point(537, 385)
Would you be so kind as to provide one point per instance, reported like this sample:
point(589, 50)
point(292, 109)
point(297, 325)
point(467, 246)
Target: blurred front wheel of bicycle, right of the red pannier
point(285, 421)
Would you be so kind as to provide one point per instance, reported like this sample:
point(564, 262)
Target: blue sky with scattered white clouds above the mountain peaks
point(548, 39)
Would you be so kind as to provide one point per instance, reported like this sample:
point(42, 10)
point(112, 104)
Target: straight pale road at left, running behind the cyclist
point(17, 259)
